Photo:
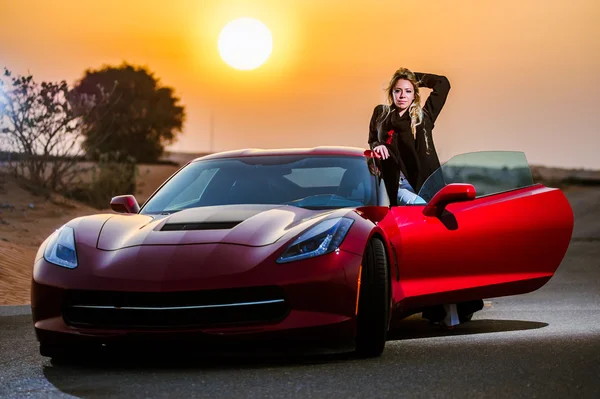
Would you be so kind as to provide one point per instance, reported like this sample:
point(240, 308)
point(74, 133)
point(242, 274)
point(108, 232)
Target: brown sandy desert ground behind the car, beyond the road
point(26, 219)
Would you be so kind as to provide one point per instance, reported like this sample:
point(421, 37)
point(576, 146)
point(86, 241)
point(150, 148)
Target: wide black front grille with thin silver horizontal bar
point(188, 309)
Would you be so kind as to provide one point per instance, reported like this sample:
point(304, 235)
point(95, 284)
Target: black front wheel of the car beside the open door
point(373, 302)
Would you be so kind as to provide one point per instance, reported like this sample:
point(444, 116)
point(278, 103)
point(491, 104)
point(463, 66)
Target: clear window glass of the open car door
point(491, 172)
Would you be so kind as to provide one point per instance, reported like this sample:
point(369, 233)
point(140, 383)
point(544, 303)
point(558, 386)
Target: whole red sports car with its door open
point(296, 245)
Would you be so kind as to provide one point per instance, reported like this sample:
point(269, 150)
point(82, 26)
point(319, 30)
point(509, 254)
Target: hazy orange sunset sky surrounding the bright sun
point(524, 74)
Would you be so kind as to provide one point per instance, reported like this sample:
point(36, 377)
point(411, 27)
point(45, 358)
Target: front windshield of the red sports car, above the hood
point(313, 182)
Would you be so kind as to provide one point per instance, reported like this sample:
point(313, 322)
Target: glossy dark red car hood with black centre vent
point(250, 225)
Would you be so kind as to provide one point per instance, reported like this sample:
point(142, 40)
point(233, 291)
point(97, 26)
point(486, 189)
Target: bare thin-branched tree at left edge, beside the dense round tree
point(40, 127)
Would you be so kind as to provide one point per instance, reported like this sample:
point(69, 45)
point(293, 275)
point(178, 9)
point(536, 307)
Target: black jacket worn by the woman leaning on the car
point(409, 154)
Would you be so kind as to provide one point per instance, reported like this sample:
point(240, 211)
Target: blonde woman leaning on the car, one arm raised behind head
point(401, 133)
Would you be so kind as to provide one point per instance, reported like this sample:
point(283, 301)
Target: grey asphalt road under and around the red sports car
point(544, 344)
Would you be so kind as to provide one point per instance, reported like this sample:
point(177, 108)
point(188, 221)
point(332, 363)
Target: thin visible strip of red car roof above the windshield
point(256, 152)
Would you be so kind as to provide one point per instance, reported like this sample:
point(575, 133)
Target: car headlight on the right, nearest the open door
point(321, 239)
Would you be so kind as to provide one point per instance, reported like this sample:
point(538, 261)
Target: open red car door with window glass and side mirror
point(486, 231)
